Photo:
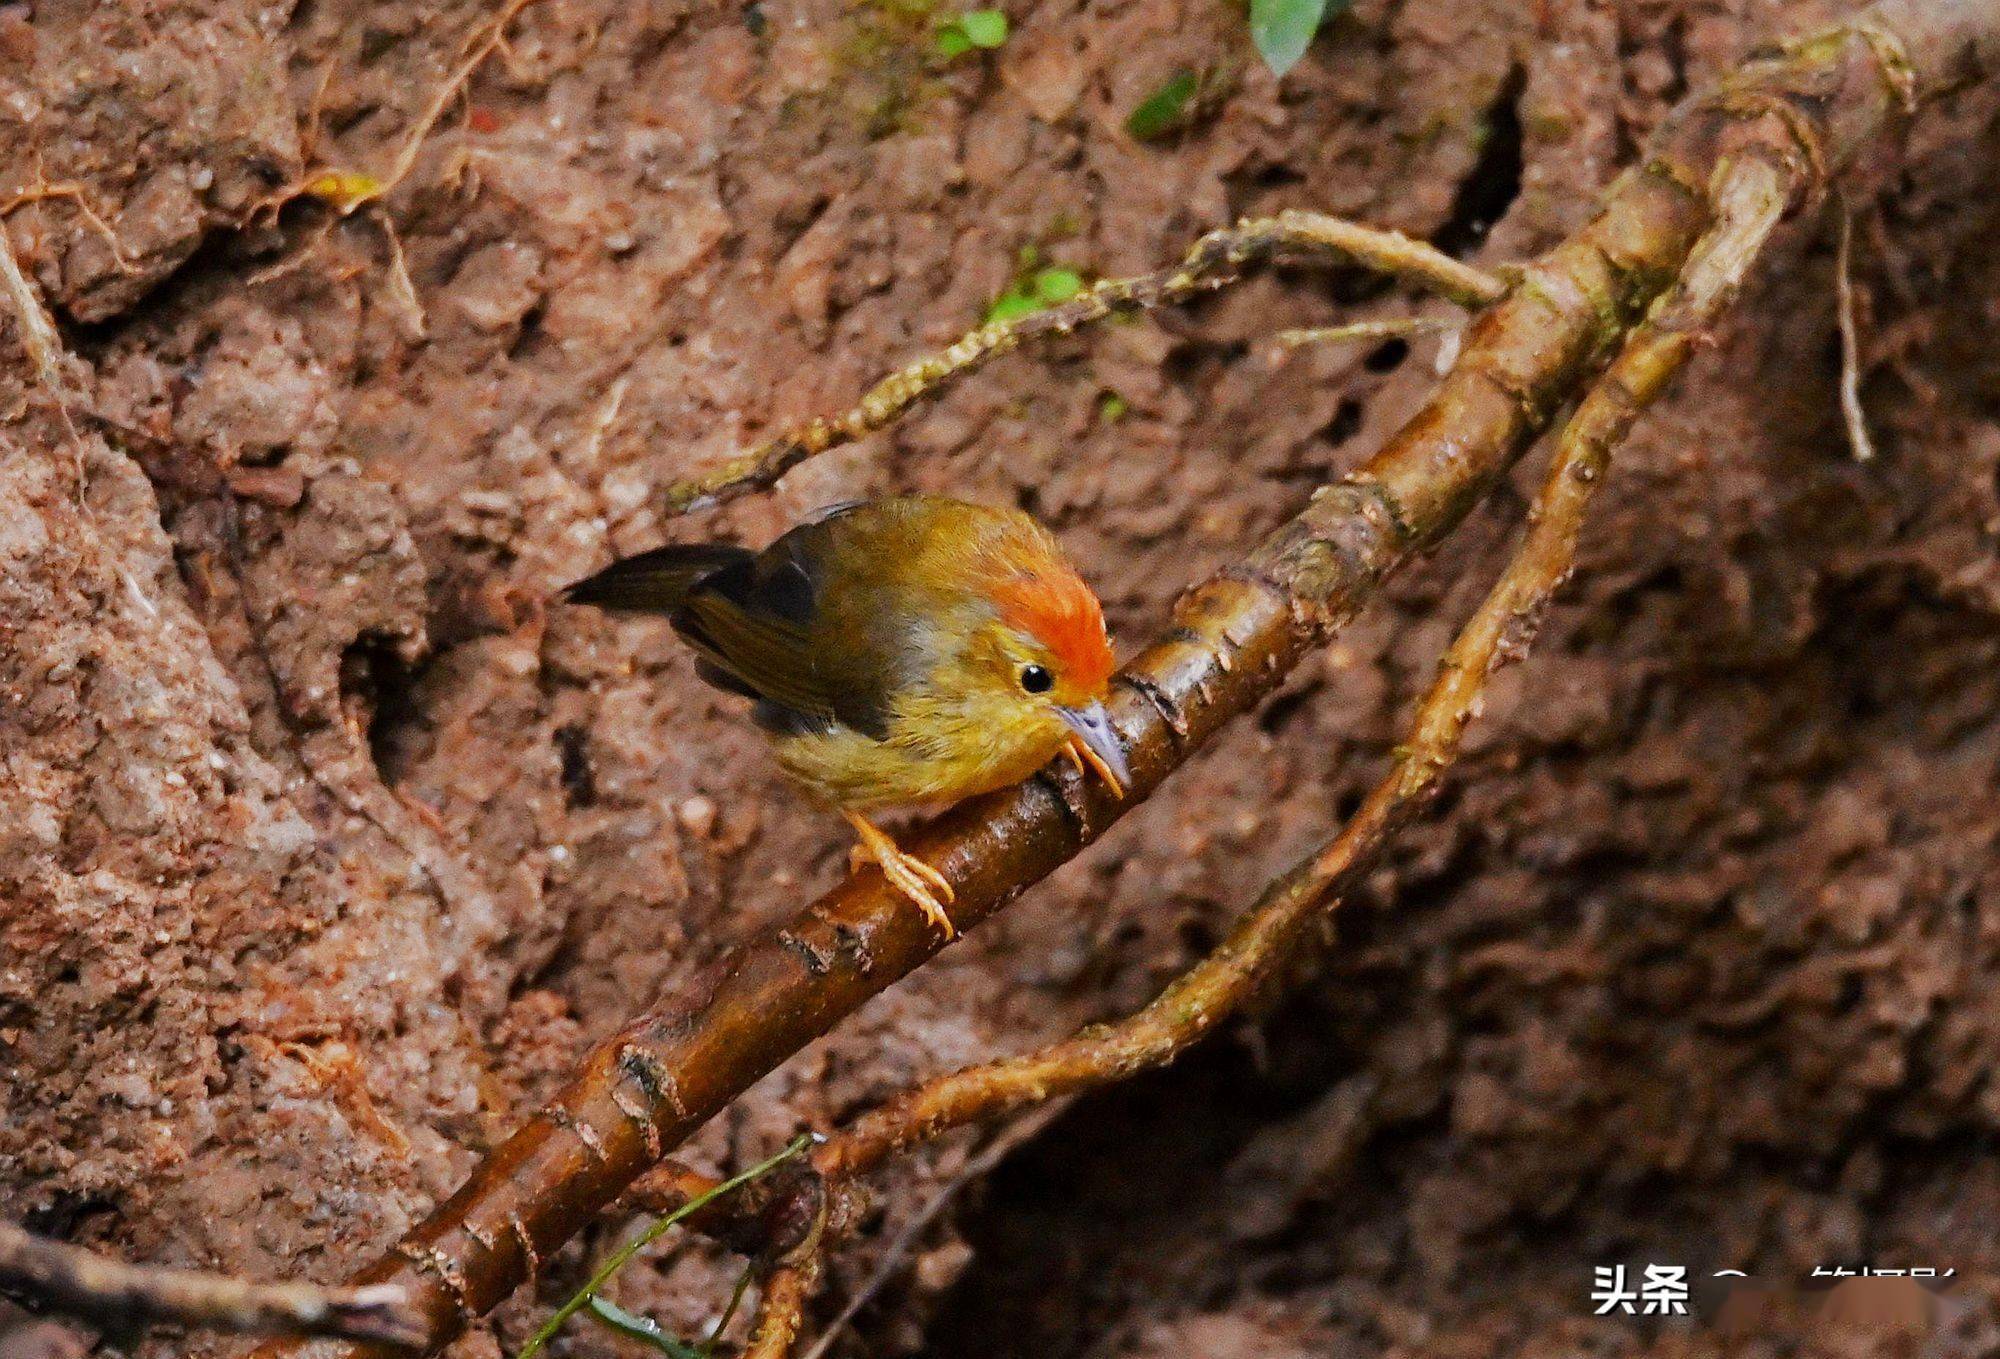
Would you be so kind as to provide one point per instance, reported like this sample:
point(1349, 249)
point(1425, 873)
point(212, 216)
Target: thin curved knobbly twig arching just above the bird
point(1217, 259)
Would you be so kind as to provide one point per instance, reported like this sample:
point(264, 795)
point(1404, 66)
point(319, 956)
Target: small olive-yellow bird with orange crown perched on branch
point(901, 653)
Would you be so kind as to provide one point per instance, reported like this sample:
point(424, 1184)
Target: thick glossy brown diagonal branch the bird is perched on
point(1803, 109)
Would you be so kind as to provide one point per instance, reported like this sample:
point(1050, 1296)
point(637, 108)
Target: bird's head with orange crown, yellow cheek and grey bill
point(1037, 669)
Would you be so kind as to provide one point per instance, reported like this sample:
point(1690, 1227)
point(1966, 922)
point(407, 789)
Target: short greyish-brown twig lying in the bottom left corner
point(115, 1296)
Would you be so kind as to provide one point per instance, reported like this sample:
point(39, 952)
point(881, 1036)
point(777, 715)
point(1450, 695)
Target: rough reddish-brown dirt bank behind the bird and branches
point(327, 842)
